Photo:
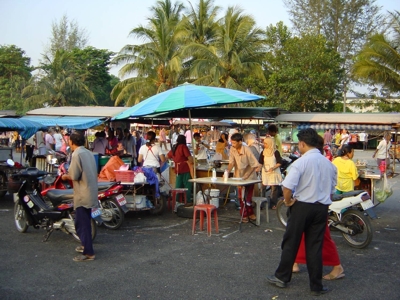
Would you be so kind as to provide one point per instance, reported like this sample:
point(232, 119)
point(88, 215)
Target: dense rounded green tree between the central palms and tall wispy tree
point(303, 73)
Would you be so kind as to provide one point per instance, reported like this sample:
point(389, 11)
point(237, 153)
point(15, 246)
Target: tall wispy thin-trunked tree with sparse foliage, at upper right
point(345, 24)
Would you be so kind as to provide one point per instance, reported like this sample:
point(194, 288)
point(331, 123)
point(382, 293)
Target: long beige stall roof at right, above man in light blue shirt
point(341, 118)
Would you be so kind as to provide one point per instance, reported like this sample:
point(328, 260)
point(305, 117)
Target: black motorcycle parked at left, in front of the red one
point(31, 209)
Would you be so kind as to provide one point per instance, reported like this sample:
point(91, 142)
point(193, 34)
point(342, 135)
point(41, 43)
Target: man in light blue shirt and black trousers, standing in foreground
point(313, 179)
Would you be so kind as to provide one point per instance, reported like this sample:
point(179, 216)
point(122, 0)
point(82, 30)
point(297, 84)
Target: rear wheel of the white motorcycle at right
point(361, 227)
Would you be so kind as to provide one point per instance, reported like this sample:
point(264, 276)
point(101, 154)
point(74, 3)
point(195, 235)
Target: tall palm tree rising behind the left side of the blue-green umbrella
point(156, 63)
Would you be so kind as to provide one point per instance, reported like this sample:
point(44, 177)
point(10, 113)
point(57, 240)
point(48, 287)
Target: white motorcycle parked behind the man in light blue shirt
point(346, 214)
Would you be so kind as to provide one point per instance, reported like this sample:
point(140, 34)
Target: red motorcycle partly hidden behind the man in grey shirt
point(112, 202)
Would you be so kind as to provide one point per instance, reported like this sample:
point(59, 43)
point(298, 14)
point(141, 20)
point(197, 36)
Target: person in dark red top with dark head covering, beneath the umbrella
point(183, 160)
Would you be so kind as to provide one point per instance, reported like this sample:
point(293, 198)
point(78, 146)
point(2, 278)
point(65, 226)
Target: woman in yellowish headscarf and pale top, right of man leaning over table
point(271, 160)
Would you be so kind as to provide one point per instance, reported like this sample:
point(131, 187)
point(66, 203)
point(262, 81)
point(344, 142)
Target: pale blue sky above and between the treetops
point(27, 23)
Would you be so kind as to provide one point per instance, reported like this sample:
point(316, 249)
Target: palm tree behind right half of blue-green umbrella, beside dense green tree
point(236, 51)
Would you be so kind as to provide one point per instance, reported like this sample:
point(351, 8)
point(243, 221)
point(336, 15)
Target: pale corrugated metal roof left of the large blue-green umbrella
point(81, 111)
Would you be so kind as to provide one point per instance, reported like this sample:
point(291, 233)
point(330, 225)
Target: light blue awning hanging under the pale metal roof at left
point(67, 122)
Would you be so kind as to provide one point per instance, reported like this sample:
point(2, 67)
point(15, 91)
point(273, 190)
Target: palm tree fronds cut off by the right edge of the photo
point(379, 61)
